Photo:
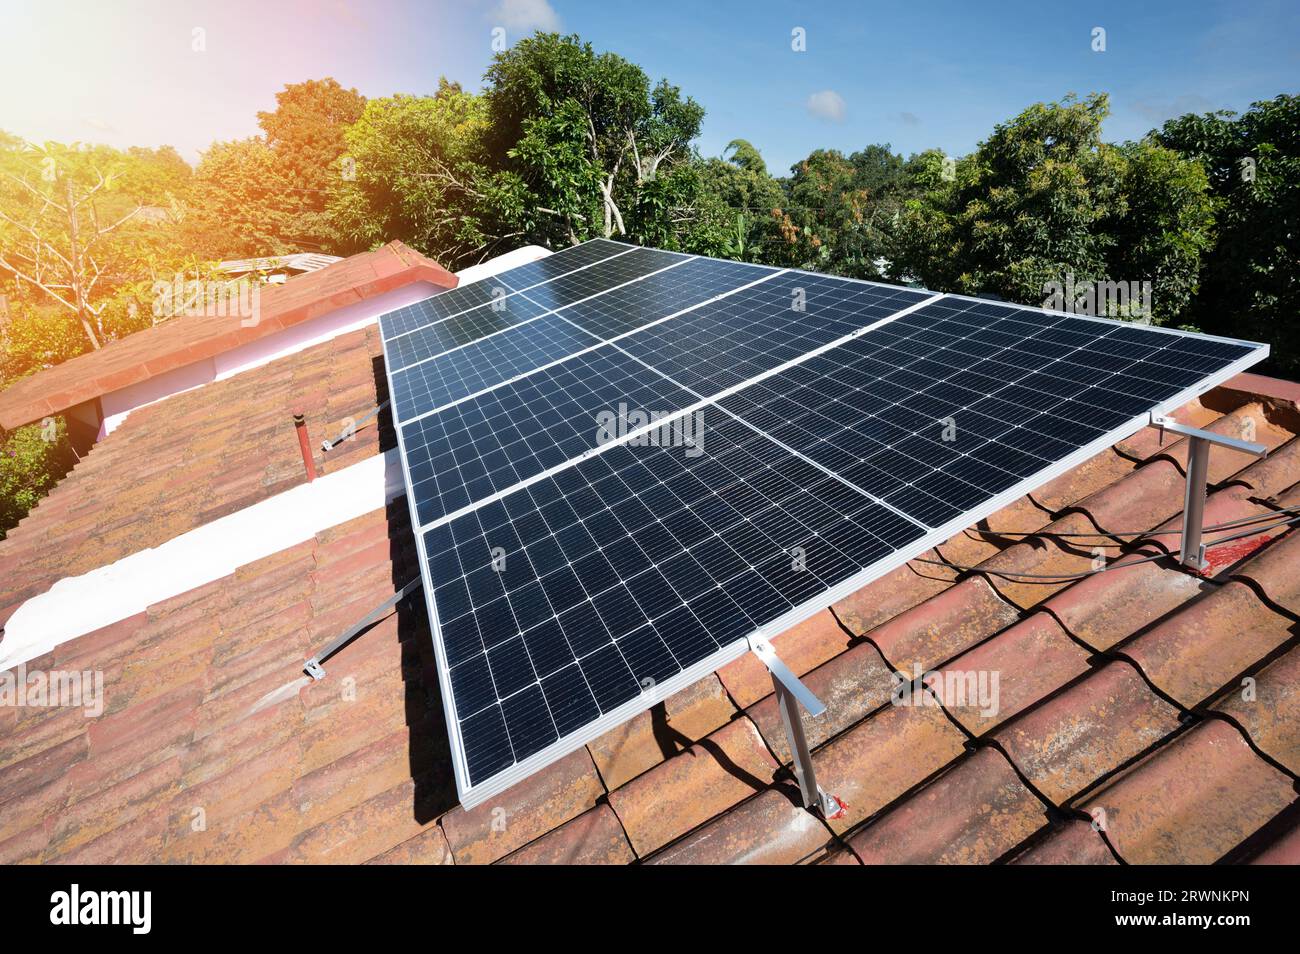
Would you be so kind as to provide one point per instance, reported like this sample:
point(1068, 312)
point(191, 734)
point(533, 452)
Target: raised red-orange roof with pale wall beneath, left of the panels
point(193, 339)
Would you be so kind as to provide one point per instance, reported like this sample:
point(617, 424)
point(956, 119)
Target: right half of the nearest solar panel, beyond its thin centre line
point(954, 404)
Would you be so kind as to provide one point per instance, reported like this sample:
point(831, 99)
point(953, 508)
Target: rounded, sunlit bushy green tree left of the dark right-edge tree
point(1045, 201)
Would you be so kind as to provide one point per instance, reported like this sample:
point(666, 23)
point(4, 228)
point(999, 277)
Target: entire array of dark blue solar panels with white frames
point(623, 462)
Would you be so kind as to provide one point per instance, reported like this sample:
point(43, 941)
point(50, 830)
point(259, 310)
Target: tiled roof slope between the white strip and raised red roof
point(200, 456)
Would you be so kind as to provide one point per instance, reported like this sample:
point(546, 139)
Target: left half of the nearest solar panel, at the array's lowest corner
point(566, 600)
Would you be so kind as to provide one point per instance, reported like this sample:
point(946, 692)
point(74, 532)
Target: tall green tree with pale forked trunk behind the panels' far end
point(582, 146)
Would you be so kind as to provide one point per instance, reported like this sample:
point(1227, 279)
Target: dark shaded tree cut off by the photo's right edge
point(1251, 287)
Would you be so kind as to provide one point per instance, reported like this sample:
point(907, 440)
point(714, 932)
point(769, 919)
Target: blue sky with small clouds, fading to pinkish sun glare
point(917, 76)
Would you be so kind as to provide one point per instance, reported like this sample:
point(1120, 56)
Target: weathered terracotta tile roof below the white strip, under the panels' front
point(1119, 704)
